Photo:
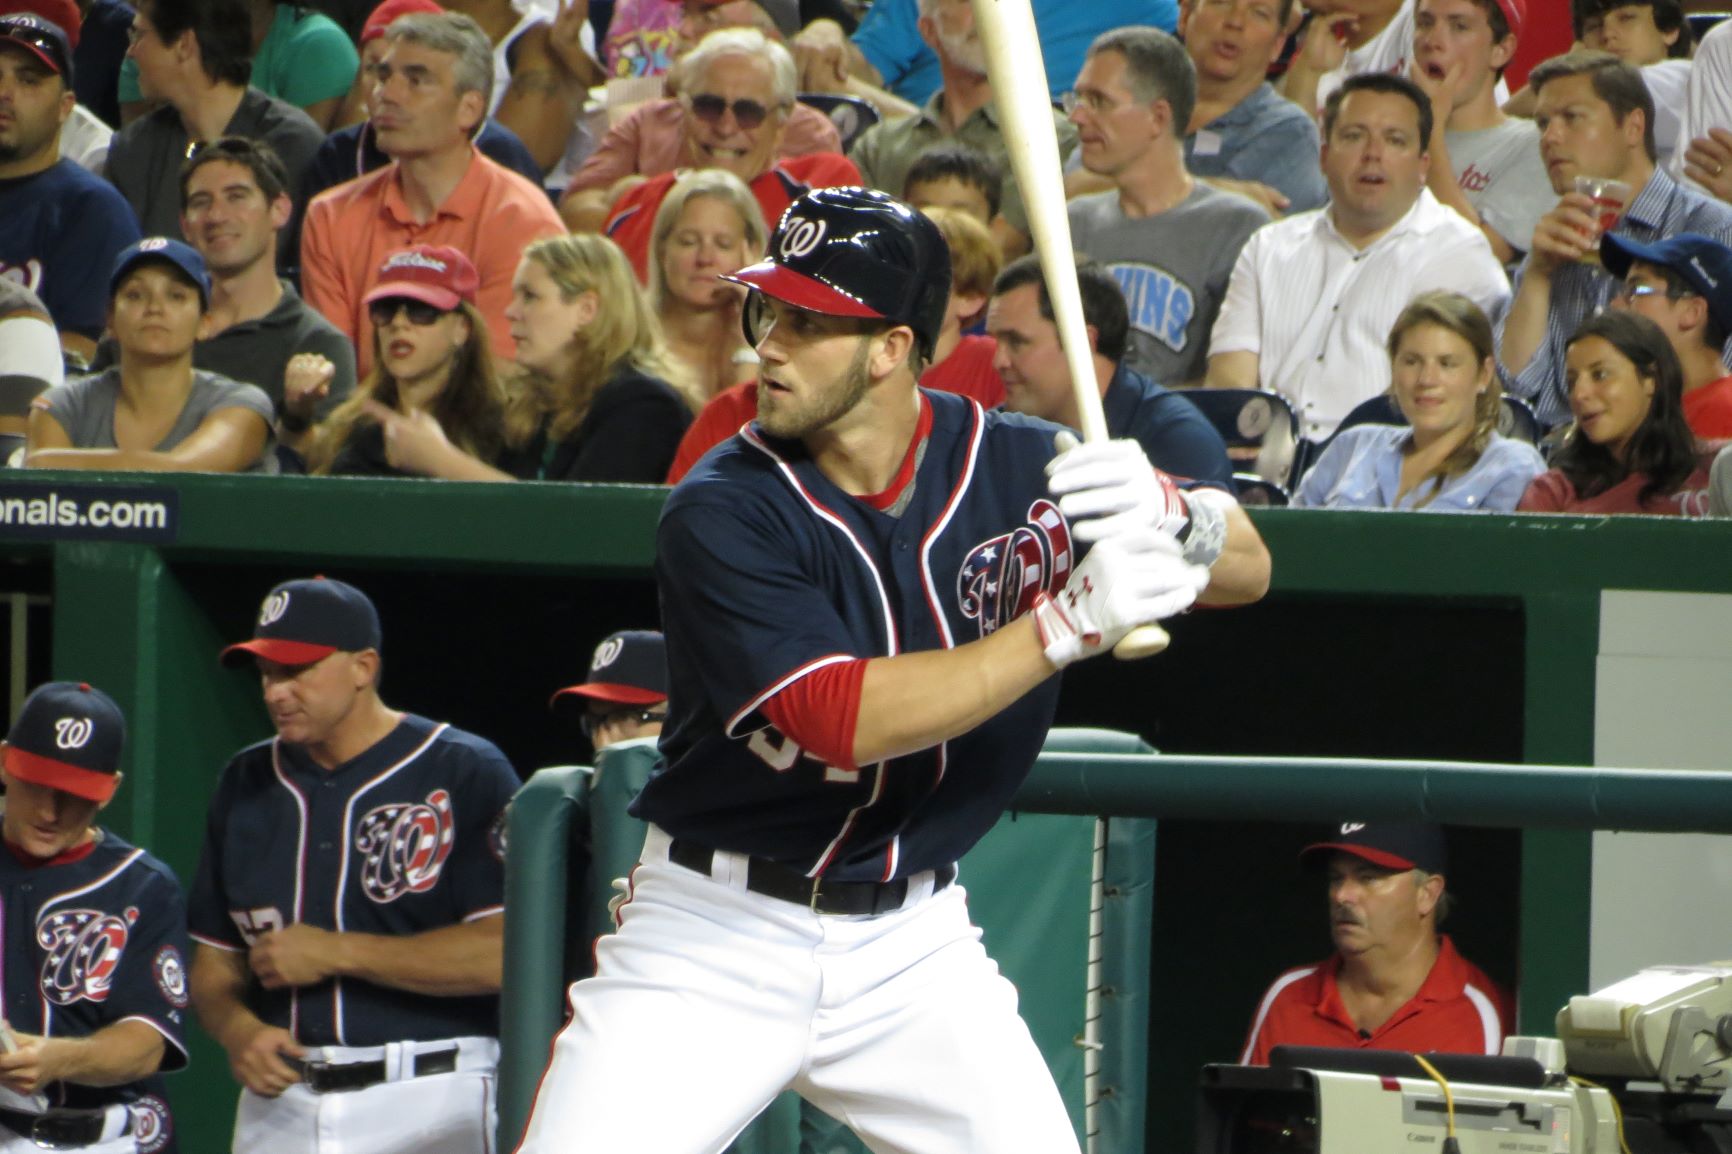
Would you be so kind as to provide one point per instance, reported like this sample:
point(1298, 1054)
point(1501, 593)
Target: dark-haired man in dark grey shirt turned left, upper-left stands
point(197, 56)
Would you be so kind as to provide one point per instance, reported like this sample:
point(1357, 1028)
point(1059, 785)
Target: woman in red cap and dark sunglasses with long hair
point(434, 405)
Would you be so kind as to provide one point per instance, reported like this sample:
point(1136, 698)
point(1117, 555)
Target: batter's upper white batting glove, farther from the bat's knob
point(1108, 488)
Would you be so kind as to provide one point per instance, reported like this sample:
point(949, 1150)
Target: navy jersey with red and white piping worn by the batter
point(770, 573)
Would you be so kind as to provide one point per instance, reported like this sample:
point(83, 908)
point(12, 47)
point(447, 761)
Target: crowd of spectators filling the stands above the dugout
point(484, 242)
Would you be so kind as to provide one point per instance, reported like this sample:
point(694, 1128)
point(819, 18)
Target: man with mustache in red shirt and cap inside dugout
point(1393, 983)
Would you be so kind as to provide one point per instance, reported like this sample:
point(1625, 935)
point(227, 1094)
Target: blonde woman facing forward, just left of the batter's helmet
point(709, 226)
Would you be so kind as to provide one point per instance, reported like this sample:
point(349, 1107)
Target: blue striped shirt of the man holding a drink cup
point(1580, 290)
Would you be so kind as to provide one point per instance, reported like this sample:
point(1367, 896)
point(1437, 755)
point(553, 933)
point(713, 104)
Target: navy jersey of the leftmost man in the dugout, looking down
point(91, 942)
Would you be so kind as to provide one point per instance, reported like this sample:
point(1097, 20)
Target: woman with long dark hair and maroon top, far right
point(1631, 450)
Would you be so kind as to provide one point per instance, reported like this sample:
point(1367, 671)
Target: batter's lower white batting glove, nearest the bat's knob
point(1127, 581)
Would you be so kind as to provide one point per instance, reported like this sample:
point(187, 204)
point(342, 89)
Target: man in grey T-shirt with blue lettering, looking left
point(1168, 240)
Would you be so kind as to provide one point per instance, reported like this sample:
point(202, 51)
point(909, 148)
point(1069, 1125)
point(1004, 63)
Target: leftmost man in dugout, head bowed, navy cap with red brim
point(96, 983)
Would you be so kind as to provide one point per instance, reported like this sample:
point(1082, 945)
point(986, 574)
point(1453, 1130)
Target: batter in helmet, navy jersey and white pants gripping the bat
point(867, 597)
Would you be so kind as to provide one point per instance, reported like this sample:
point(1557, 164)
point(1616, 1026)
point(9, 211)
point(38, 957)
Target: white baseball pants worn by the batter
point(711, 1001)
